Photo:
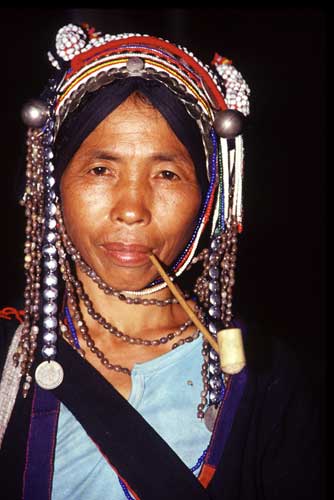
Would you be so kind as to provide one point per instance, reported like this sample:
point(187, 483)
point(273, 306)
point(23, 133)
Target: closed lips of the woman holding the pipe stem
point(125, 254)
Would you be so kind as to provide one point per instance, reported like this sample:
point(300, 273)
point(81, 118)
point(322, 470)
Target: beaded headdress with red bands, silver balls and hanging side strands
point(215, 96)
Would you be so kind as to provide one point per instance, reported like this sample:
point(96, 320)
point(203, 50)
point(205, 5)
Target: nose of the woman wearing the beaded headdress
point(131, 207)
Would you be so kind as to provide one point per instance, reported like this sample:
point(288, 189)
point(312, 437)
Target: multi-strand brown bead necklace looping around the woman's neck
point(74, 325)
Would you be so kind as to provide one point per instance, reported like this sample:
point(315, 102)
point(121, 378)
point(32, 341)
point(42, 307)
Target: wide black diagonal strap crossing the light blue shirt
point(128, 442)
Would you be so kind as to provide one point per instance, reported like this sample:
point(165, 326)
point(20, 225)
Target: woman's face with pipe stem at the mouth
point(129, 190)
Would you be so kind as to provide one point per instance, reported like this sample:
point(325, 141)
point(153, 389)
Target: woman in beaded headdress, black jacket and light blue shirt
point(135, 149)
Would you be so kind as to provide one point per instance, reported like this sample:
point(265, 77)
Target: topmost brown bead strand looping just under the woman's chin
point(75, 256)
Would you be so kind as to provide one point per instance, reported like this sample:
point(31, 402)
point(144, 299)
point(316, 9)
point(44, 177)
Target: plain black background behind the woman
point(281, 54)
